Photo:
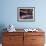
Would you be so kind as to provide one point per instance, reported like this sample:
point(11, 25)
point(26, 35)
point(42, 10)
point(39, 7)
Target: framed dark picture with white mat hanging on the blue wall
point(26, 14)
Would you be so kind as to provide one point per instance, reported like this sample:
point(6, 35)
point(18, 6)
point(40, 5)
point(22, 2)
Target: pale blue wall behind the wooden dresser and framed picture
point(8, 13)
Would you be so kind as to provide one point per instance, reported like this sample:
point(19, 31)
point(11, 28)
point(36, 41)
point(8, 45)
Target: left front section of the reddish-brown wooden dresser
point(13, 40)
